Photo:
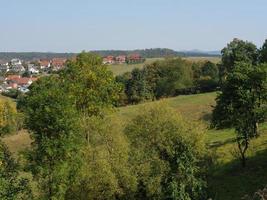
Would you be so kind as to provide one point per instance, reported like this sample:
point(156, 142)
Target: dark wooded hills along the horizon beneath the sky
point(146, 53)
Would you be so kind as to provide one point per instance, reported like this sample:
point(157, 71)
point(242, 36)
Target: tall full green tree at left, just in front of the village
point(51, 119)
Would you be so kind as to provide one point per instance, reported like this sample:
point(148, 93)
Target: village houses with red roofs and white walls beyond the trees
point(17, 74)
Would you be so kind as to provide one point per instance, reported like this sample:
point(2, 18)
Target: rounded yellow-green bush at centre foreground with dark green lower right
point(162, 146)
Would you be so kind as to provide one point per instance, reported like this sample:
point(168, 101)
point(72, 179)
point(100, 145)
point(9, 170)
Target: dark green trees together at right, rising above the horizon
point(241, 104)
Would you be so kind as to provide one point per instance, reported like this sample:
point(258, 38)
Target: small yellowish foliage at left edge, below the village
point(8, 116)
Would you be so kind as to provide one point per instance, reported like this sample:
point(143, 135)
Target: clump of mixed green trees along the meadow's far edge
point(170, 77)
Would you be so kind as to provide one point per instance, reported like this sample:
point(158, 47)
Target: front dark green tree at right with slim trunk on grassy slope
point(243, 103)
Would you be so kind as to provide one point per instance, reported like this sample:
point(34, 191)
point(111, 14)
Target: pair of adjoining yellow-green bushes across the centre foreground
point(158, 155)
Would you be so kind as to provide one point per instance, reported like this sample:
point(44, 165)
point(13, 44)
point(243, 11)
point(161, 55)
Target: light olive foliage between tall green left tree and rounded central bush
point(106, 173)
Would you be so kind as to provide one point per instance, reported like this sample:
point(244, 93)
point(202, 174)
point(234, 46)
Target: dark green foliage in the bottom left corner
point(12, 187)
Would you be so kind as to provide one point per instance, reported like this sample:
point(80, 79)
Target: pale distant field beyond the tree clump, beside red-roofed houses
point(122, 68)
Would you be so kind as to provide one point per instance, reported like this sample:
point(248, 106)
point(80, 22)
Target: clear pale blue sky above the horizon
point(76, 25)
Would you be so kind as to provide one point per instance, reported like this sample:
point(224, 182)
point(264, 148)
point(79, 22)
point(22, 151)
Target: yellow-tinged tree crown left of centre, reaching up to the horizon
point(91, 84)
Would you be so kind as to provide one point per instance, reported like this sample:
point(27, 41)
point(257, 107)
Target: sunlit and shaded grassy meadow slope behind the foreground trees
point(227, 180)
